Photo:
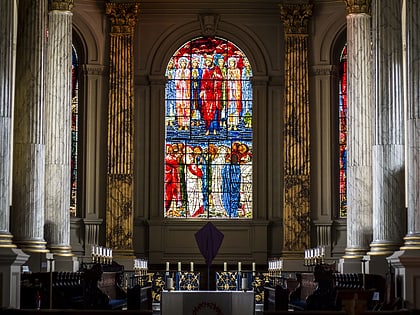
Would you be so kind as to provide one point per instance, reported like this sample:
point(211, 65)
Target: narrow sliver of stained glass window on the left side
point(74, 133)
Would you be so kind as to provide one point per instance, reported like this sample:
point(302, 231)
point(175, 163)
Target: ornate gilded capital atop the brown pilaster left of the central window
point(123, 16)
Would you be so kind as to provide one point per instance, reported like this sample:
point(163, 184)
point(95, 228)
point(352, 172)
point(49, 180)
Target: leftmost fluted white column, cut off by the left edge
point(8, 29)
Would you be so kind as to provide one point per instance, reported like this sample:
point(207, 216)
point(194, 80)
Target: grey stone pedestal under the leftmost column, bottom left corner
point(11, 260)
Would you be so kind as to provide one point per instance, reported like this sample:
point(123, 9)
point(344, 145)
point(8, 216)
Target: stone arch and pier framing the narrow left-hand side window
point(92, 97)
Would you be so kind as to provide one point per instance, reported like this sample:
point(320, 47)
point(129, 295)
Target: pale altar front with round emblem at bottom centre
point(207, 303)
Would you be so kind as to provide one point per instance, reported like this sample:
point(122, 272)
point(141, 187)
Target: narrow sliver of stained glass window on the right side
point(342, 126)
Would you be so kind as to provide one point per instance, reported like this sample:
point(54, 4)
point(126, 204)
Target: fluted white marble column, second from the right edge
point(388, 129)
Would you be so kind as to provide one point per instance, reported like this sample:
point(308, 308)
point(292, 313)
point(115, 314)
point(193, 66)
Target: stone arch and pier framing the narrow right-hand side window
point(324, 147)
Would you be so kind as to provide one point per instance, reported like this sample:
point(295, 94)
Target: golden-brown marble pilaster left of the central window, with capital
point(119, 210)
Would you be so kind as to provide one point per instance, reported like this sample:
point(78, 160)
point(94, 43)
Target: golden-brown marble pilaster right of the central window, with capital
point(296, 206)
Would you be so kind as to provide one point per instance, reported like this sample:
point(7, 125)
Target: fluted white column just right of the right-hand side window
point(359, 145)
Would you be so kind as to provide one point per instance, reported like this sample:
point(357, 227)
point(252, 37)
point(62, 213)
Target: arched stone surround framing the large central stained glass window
point(176, 238)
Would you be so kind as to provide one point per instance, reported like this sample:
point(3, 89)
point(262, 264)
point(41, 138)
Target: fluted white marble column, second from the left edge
point(29, 147)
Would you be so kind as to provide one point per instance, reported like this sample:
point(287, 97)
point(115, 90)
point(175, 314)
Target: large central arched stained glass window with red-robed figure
point(208, 140)
